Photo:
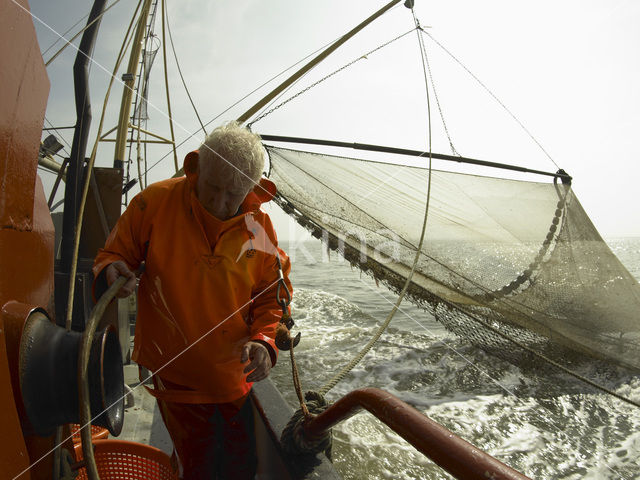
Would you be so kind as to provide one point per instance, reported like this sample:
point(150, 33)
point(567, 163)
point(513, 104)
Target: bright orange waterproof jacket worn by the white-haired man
point(200, 299)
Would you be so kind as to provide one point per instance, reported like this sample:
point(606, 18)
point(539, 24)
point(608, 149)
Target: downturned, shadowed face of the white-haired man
point(219, 194)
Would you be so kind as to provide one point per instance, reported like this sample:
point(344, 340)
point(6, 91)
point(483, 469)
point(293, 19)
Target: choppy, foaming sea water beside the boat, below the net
point(543, 423)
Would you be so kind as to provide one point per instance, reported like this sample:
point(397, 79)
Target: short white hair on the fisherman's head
point(234, 152)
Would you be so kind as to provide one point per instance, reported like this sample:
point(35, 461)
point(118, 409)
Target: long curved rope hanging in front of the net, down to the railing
point(345, 370)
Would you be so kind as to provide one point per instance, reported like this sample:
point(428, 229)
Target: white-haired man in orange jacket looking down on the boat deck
point(207, 304)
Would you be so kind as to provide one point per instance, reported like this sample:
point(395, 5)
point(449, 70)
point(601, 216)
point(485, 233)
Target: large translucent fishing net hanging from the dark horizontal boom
point(502, 261)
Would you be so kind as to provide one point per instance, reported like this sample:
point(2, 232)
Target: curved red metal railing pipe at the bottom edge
point(452, 453)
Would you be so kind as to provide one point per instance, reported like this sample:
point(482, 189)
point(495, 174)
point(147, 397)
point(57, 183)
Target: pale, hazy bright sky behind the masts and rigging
point(567, 70)
